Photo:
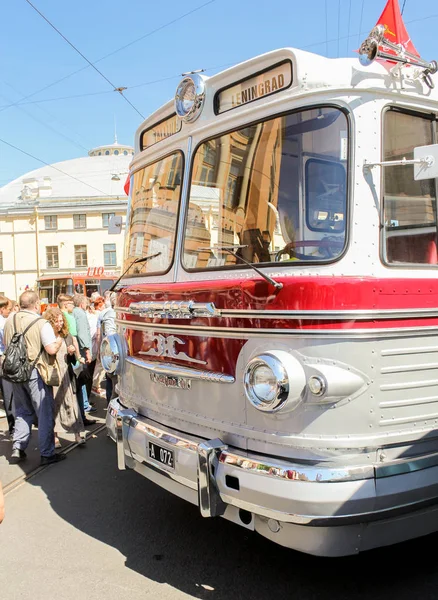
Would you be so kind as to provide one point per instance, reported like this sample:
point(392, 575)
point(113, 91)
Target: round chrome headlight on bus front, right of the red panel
point(273, 379)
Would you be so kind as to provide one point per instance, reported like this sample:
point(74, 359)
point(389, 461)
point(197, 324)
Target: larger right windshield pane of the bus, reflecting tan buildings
point(277, 188)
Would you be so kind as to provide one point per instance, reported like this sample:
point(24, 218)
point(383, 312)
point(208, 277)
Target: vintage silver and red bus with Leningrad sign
point(277, 349)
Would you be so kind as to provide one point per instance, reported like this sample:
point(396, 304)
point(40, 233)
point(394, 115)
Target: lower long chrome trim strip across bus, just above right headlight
point(246, 332)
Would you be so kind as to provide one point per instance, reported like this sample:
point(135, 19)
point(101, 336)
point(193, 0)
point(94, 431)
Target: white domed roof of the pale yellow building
point(97, 175)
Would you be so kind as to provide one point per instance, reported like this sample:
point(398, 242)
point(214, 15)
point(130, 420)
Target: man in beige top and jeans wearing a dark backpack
point(29, 341)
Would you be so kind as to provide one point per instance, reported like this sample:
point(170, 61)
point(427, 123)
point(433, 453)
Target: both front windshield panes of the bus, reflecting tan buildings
point(274, 189)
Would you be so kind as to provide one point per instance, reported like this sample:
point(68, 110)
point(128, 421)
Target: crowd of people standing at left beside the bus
point(62, 347)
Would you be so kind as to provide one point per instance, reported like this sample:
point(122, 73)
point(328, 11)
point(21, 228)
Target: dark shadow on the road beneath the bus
point(166, 540)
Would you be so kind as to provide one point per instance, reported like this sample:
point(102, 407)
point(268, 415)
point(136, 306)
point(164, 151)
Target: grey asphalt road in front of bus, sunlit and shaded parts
point(84, 530)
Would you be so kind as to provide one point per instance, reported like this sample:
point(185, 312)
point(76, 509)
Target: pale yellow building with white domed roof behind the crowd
point(54, 220)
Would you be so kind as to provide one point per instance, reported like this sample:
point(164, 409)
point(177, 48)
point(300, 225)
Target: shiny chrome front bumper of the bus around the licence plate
point(277, 491)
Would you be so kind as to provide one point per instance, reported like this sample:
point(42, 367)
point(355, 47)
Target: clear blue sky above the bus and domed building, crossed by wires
point(54, 126)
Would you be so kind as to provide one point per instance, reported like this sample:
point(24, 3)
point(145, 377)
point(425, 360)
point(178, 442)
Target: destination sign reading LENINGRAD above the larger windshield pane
point(253, 88)
